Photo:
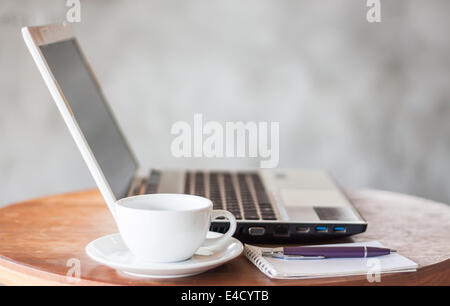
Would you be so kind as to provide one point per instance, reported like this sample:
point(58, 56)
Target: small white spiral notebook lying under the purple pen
point(314, 268)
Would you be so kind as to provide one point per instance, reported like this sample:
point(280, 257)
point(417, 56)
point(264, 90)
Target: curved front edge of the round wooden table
point(15, 274)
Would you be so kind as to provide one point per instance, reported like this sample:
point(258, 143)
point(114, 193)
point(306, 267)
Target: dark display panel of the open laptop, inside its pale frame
point(92, 114)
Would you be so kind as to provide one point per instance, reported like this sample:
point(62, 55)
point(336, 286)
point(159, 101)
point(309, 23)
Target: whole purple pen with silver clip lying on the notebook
point(318, 252)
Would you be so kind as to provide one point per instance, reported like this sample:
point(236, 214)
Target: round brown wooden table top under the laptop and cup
point(43, 240)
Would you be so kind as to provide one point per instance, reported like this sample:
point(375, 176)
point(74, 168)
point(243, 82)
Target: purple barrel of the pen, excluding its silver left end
point(336, 252)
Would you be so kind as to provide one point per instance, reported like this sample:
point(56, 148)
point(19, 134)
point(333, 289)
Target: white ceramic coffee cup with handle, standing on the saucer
point(166, 227)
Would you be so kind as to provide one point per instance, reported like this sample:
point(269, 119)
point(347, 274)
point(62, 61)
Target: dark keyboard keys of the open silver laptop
point(242, 193)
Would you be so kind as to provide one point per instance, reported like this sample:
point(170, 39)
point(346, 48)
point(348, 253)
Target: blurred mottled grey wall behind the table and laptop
point(370, 102)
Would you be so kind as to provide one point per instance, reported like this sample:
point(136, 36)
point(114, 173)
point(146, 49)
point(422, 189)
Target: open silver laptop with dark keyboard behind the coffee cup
point(270, 205)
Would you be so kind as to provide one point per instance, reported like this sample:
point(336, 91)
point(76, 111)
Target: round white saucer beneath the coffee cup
point(111, 251)
